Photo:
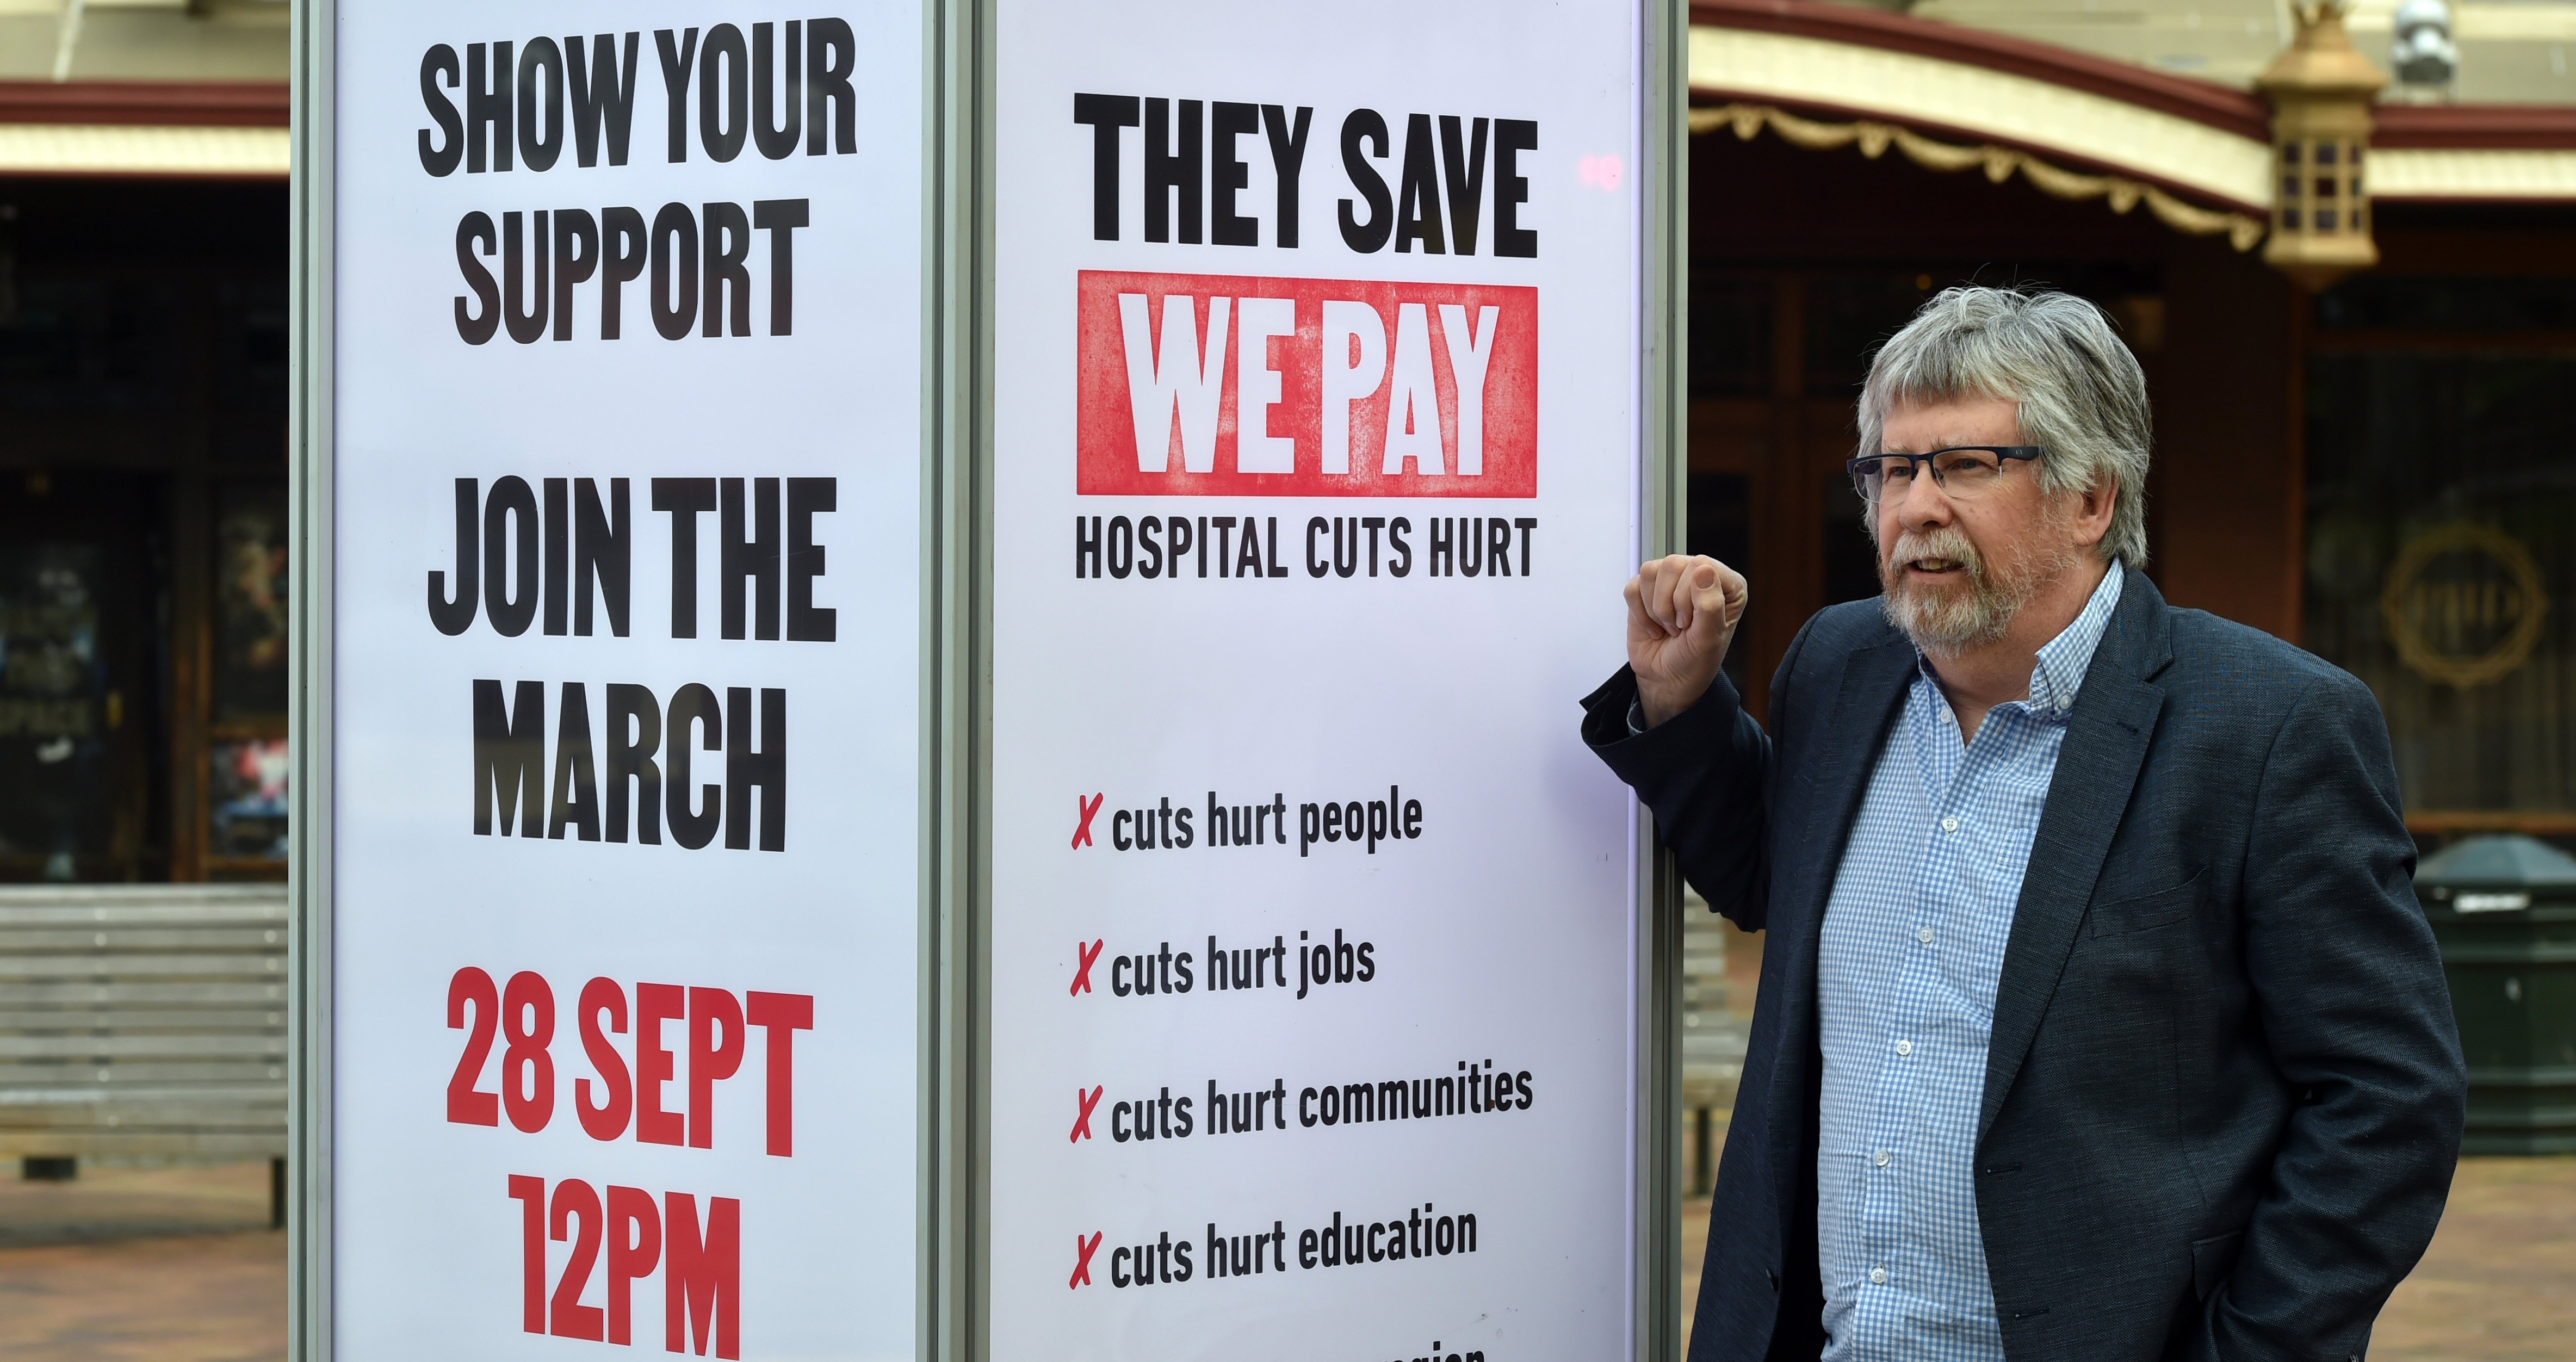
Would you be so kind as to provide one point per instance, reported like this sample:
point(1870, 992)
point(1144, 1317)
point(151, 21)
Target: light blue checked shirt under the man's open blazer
point(1913, 949)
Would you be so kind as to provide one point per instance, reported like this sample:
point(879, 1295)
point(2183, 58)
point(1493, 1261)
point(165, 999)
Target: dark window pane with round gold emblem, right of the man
point(2441, 563)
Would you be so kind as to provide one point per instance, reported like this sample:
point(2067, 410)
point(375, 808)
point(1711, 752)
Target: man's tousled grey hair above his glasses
point(2083, 395)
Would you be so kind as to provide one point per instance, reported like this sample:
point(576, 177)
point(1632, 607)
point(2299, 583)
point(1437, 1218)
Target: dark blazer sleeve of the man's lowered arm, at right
point(2358, 1021)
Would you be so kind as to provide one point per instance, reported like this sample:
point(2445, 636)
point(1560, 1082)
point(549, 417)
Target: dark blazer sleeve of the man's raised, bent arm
point(1707, 776)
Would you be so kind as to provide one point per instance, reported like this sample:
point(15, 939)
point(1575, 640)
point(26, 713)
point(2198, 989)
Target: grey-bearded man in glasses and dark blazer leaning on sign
point(2098, 1018)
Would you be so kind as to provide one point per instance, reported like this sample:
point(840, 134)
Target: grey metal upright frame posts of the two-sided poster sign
point(957, 648)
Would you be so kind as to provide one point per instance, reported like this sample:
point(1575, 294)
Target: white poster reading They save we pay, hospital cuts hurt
point(1318, 436)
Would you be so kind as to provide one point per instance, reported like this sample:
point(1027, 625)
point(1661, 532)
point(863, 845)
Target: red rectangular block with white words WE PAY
point(1305, 387)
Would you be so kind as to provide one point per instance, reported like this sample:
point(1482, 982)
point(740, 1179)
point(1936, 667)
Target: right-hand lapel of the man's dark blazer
point(2098, 769)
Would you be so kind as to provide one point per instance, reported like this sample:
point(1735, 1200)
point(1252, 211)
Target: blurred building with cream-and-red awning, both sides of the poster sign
point(2351, 269)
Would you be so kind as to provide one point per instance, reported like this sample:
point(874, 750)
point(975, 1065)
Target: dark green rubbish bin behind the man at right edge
point(2505, 913)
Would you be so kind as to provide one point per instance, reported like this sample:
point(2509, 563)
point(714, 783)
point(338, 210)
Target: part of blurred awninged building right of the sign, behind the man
point(2356, 300)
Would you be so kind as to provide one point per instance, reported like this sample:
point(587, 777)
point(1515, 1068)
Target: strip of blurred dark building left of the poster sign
point(143, 439)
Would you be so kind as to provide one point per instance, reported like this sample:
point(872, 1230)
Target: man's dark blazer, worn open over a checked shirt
point(2224, 1090)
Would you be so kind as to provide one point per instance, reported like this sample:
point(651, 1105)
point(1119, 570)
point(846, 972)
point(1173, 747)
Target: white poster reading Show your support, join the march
point(627, 681)
